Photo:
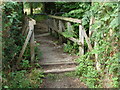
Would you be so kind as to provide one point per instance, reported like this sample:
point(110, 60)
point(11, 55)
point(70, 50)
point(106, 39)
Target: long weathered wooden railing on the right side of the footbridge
point(59, 24)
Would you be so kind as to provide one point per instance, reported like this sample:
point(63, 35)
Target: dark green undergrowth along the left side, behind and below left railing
point(27, 76)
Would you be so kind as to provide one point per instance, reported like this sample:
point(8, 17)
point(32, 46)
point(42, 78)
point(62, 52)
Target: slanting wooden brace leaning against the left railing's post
point(26, 41)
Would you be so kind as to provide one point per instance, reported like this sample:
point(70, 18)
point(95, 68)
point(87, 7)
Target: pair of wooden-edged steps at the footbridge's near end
point(58, 67)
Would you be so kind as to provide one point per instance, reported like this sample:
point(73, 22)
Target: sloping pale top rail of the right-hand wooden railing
point(66, 19)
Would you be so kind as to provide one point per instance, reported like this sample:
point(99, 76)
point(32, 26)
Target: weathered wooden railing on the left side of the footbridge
point(28, 30)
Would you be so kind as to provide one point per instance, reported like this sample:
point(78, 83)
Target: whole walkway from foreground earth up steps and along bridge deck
point(54, 60)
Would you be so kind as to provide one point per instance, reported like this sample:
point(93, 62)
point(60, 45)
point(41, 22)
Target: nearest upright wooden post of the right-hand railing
point(81, 39)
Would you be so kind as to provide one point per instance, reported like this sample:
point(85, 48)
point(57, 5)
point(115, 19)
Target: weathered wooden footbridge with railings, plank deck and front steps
point(54, 24)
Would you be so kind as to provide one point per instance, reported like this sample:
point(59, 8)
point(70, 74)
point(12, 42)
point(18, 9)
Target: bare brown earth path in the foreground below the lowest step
point(62, 81)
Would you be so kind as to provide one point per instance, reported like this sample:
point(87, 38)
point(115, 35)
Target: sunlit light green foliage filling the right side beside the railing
point(106, 21)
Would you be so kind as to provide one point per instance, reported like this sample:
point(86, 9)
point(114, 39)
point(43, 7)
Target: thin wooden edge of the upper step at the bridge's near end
point(57, 63)
